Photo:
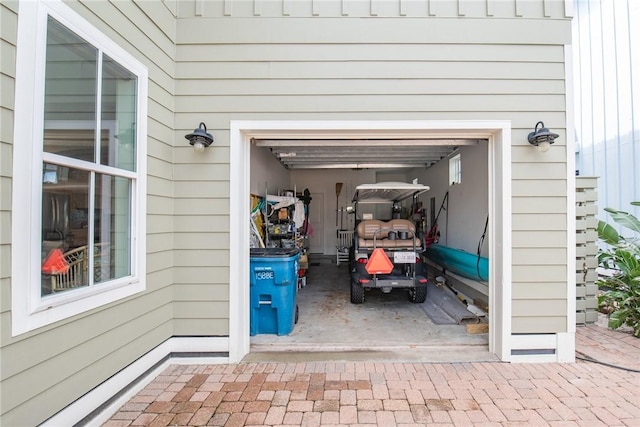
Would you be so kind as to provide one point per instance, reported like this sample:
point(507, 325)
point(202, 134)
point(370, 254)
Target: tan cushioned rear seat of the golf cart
point(373, 233)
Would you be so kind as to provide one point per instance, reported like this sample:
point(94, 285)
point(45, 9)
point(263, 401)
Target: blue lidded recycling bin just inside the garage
point(274, 289)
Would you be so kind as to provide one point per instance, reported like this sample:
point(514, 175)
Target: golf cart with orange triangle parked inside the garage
point(385, 255)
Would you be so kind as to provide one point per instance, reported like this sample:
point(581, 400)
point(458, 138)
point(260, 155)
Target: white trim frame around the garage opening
point(497, 132)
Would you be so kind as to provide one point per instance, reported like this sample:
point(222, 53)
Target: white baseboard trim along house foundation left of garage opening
point(98, 405)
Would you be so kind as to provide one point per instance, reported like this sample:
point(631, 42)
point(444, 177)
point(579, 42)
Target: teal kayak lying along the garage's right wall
point(459, 262)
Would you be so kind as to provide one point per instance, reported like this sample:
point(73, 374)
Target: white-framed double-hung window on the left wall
point(79, 176)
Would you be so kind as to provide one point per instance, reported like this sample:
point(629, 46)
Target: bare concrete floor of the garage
point(387, 327)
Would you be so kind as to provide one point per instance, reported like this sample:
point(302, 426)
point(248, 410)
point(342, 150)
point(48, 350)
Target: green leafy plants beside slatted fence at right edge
point(621, 291)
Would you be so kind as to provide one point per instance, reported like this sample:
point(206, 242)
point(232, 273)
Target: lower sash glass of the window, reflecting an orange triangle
point(69, 225)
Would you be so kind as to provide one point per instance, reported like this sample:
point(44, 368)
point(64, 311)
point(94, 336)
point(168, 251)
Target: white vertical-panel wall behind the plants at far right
point(607, 86)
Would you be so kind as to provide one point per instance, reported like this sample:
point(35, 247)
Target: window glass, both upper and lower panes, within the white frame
point(87, 181)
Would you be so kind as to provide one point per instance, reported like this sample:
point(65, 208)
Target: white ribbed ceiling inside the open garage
point(360, 153)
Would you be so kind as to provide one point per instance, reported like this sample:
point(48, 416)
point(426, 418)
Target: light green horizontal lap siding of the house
point(214, 62)
